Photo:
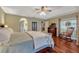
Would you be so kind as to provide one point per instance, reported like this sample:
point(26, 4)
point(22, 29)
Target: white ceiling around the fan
point(29, 11)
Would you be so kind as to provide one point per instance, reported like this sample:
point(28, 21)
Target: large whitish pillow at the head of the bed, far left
point(4, 35)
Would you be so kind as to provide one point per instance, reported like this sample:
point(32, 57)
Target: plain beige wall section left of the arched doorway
point(12, 21)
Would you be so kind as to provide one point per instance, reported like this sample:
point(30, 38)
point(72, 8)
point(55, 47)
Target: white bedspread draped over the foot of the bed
point(41, 39)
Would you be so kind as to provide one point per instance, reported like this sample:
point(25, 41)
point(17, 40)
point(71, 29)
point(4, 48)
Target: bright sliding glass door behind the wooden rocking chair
point(65, 23)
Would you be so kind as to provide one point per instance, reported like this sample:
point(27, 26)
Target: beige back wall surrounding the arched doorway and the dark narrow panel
point(13, 22)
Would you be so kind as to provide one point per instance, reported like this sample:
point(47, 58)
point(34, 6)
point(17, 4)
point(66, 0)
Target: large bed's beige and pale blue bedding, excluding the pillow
point(26, 42)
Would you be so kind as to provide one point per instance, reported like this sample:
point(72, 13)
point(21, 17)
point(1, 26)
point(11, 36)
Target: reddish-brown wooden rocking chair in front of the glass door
point(68, 33)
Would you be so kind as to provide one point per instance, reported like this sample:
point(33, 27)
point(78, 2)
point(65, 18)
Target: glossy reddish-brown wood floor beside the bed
point(62, 46)
